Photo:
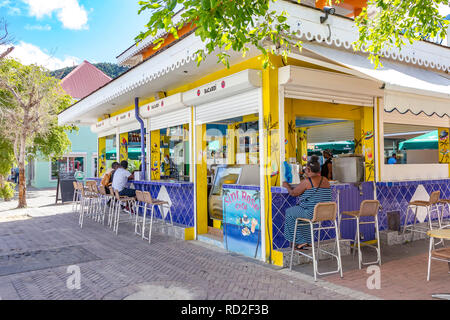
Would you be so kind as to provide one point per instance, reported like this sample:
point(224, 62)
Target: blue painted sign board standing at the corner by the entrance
point(242, 221)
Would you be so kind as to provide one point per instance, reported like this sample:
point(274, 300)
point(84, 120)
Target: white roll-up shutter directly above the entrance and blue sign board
point(232, 107)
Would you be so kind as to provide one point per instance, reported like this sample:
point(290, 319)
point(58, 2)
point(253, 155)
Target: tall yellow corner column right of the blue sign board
point(271, 142)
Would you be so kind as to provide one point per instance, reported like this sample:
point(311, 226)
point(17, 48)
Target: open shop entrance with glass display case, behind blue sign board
point(232, 158)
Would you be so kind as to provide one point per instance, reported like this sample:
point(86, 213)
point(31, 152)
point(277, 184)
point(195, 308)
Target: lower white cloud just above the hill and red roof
point(27, 54)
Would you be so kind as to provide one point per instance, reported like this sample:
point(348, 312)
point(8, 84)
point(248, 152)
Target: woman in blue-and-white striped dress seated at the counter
point(313, 190)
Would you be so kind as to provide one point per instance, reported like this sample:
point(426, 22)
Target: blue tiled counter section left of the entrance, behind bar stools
point(181, 194)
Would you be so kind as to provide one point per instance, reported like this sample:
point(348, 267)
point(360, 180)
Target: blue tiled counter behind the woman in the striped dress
point(349, 196)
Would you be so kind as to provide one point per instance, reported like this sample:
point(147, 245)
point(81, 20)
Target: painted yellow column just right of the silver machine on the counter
point(368, 142)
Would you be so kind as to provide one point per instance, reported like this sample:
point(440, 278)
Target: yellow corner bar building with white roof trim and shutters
point(233, 129)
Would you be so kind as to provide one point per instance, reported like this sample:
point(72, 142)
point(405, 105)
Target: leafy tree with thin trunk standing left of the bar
point(30, 101)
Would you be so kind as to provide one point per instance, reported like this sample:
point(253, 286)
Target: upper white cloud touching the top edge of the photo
point(71, 14)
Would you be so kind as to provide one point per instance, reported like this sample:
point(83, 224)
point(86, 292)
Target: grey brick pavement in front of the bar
point(35, 255)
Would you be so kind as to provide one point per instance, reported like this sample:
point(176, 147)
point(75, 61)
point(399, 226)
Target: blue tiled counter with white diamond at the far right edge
point(395, 196)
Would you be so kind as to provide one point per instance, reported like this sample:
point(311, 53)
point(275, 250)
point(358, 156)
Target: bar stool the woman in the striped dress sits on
point(326, 211)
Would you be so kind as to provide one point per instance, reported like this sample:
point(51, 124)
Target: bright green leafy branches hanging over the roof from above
point(239, 24)
